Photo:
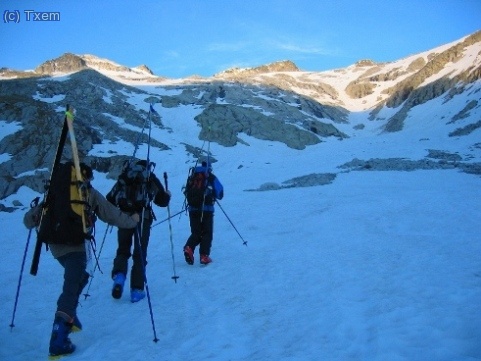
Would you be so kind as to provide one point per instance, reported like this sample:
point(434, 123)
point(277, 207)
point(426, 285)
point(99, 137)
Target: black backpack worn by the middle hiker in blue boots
point(131, 192)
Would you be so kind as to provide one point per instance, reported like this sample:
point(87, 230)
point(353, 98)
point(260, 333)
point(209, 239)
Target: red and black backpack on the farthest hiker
point(198, 189)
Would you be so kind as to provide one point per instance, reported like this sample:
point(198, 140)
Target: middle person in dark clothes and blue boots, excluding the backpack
point(126, 237)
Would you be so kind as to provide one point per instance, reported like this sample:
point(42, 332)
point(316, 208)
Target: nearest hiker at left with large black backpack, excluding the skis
point(62, 231)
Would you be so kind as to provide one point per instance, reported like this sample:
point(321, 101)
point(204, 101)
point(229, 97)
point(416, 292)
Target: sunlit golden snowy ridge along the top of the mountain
point(408, 73)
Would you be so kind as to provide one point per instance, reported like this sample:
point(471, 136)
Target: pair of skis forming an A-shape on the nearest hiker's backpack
point(66, 128)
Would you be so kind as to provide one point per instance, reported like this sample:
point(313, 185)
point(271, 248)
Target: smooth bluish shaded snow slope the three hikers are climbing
point(375, 266)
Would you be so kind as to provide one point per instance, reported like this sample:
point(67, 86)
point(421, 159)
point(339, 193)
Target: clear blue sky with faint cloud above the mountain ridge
point(178, 38)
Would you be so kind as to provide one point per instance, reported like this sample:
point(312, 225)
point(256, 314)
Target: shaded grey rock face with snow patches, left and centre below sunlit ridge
point(228, 110)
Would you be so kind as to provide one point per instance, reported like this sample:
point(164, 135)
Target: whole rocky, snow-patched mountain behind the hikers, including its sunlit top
point(437, 90)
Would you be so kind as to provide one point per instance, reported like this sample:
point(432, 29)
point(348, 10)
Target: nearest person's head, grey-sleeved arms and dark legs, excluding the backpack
point(73, 259)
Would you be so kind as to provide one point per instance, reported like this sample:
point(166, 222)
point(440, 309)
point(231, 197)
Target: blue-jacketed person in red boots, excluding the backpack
point(202, 218)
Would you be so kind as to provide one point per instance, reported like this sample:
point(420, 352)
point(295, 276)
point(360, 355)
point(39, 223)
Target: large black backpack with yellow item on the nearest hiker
point(61, 222)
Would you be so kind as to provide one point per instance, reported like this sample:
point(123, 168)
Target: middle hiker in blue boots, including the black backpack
point(135, 190)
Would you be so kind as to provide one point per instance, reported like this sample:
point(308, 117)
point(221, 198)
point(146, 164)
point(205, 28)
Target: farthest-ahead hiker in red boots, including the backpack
point(201, 191)
